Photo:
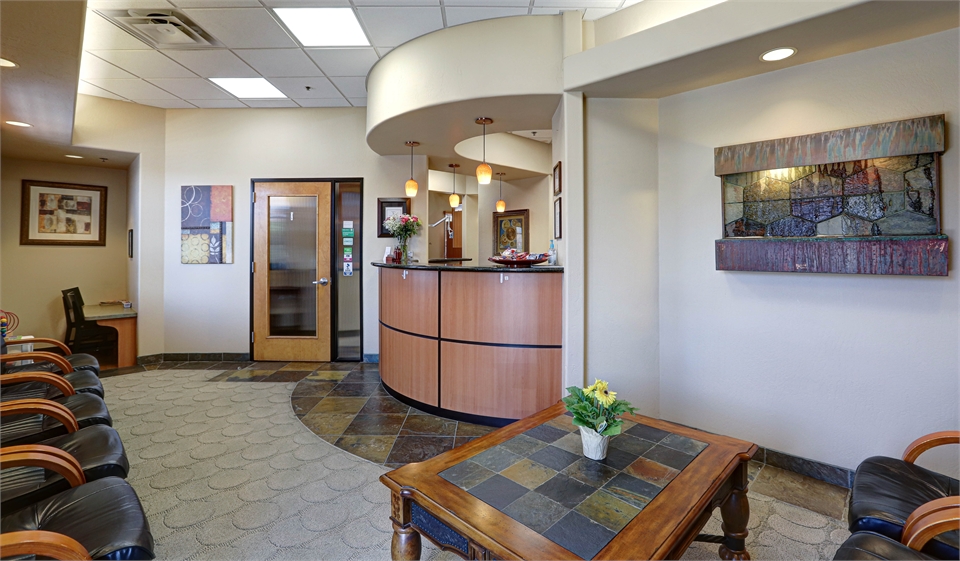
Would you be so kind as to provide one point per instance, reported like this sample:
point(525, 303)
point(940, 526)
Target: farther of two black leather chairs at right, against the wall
point(886, 491)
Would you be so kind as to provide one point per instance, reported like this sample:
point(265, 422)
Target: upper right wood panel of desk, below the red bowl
point(524, 309)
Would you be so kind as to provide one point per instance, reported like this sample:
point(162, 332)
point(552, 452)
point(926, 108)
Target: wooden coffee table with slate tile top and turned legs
point(525, 491)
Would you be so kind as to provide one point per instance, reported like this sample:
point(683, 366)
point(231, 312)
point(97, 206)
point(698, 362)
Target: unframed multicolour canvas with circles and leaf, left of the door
point(206, 224)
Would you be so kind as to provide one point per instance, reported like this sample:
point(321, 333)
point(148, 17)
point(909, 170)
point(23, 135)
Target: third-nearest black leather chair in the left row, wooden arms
point(28, 421)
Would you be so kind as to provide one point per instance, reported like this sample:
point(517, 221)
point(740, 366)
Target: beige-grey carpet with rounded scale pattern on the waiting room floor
point(225, 470)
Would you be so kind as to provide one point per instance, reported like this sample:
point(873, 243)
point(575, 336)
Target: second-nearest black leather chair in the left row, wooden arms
point(97, 450)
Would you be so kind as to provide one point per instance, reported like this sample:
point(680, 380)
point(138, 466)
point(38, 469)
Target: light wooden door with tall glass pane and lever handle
point(292, 274)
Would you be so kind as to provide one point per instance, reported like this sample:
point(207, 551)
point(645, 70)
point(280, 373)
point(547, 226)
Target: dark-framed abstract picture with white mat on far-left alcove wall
point(62, 214)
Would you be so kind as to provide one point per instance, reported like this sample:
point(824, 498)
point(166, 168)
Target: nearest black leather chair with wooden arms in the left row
point(101, 519)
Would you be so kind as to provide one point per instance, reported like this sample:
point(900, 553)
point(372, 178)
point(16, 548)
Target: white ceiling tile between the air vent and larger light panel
point(242, 28)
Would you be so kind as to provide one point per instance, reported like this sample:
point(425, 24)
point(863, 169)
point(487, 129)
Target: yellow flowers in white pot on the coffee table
point(595, 410)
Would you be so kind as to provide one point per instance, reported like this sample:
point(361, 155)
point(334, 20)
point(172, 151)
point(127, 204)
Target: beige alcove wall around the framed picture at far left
point(34, 275)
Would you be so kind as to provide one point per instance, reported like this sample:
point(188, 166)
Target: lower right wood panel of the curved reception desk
point(504, 382)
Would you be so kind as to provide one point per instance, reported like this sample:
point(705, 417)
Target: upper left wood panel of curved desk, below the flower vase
point(409, 304)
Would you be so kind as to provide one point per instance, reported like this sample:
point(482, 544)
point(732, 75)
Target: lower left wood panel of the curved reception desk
point(408, 364)
